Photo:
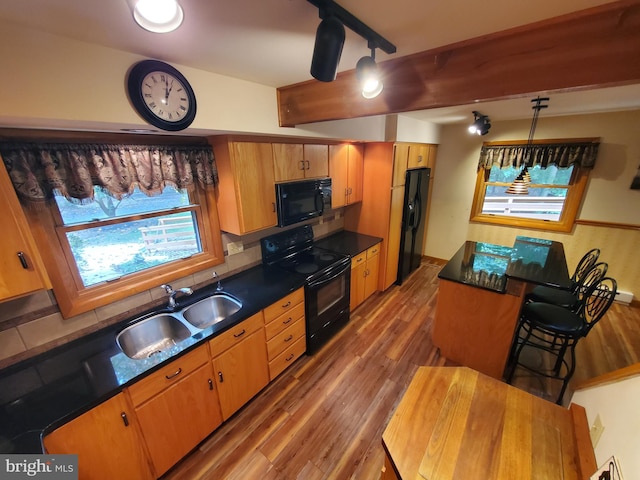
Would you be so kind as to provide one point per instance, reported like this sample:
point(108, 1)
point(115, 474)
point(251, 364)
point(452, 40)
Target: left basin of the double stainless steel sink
point(152, 335)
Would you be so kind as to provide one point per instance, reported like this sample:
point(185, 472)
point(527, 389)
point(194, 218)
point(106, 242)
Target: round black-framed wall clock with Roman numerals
point(161, 95)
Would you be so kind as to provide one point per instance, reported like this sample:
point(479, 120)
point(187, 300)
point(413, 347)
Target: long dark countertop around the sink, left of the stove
point(45, 391)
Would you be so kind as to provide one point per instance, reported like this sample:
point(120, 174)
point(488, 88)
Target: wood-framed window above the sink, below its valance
point(108, 250)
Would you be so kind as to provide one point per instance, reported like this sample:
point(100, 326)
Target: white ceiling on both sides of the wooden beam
point(271, 41)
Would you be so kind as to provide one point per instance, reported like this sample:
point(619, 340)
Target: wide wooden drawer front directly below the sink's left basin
point(149, 386)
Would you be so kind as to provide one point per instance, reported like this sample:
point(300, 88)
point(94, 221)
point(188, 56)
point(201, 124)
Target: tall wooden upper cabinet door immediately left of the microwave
point(255, 185)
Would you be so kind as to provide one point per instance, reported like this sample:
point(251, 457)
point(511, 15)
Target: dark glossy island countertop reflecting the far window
point(489, 266)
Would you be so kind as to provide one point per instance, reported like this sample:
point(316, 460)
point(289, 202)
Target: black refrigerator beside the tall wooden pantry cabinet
point(416, 190)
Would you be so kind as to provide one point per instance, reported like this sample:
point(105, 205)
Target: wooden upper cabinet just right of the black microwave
point(346, 163)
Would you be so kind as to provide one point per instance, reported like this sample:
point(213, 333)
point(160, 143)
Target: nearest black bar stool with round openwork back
point(557, 330)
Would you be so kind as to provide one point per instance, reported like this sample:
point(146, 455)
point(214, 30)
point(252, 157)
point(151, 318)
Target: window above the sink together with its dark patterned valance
point(111, 220)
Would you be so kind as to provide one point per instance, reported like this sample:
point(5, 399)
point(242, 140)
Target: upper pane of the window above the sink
point(105, 206)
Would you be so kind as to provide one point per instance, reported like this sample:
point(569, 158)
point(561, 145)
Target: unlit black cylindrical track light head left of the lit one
point(328, 49)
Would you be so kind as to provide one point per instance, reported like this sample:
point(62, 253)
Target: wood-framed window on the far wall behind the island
point(555, 194)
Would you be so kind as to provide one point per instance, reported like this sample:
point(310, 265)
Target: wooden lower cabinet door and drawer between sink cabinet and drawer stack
point(240, 363)
